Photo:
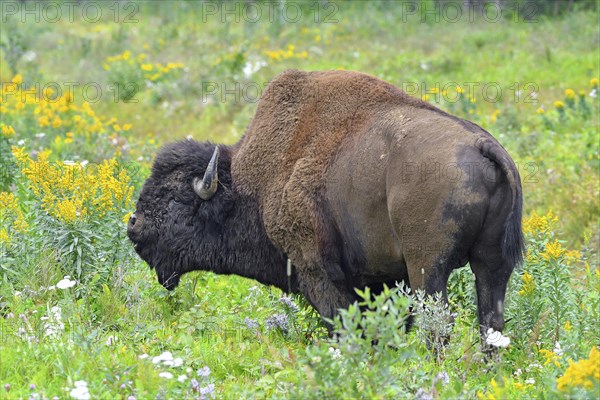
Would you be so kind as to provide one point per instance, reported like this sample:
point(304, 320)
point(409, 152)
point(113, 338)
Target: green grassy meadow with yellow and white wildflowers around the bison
point(116, 312)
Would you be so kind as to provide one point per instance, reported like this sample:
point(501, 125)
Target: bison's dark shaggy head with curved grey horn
point(175, 227)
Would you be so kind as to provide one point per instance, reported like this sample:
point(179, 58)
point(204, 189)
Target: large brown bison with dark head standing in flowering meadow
point(354, 181)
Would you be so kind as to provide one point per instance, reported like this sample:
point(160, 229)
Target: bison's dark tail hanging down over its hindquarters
point(513, 244)
